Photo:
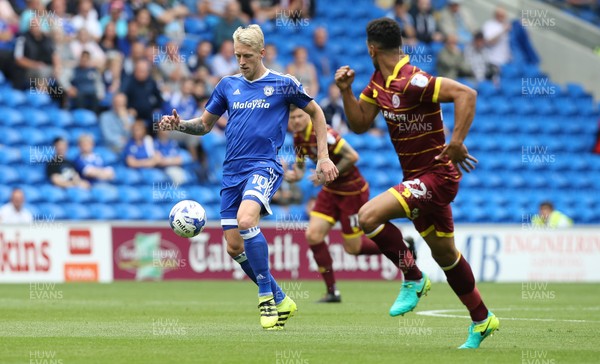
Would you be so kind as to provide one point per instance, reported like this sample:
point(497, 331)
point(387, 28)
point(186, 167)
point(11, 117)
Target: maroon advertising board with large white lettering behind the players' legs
point(157, 253)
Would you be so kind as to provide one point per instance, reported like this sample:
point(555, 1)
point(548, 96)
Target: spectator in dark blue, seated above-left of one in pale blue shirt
point(87, 88)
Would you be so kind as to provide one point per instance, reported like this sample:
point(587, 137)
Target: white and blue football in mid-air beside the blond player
point(187, 218)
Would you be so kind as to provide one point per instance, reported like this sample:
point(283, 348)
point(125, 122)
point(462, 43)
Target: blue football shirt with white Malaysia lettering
point(258, 118)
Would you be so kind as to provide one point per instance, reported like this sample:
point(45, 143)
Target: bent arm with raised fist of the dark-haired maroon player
point(360, 114)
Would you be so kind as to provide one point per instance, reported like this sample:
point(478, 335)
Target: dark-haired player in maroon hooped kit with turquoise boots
point(409, 100)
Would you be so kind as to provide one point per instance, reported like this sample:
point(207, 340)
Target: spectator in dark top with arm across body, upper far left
point(35, 55)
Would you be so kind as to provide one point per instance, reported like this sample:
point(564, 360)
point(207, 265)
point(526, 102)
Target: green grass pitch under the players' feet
point(217, 322)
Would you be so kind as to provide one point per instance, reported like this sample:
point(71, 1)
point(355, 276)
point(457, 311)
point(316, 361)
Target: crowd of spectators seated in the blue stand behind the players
point(130, 61)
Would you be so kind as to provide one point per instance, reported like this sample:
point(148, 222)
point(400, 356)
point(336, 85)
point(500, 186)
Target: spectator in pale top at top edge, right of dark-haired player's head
point(455, 19)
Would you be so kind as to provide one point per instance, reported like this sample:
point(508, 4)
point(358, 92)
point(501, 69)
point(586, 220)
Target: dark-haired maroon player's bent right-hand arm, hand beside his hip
point(464, 99)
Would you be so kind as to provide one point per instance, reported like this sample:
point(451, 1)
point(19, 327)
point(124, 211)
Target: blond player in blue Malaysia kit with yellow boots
point(258, 102)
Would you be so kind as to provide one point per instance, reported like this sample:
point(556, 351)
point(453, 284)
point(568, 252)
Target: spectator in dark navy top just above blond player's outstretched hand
point(142, 92)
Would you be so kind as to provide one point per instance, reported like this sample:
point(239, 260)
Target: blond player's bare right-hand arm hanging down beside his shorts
point(325, 170)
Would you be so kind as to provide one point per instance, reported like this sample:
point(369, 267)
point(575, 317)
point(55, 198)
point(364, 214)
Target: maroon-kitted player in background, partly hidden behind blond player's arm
point(338, 201)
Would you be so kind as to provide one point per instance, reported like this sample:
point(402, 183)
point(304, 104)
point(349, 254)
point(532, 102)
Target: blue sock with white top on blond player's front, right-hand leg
point(257, 254)
